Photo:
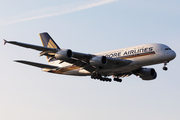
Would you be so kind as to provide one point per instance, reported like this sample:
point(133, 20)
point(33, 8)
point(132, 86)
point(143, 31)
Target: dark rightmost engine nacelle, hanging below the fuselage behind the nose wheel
point(147, 74)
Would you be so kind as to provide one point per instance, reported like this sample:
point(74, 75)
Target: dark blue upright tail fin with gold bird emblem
point(47, 41)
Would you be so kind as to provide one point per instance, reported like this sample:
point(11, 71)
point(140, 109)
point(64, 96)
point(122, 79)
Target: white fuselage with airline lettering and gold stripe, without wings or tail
point(142, 55)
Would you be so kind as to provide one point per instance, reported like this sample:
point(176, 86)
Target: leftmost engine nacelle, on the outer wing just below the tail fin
point(63, 54)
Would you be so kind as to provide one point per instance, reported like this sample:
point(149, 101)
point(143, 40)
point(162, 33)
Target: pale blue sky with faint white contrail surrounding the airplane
point(87, 26)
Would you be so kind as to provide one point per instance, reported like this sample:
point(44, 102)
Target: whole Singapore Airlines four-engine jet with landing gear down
point(117, 63)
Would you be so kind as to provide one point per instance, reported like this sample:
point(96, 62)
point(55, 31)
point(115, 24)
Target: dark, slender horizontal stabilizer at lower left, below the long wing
point(37, 64)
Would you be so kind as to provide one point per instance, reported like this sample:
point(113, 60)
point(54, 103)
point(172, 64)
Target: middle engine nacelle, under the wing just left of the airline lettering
point(98, 61)
